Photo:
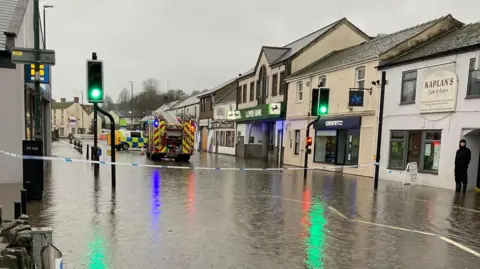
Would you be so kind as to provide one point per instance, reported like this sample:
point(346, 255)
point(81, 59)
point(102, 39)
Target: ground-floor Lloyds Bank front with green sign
point(260, 131)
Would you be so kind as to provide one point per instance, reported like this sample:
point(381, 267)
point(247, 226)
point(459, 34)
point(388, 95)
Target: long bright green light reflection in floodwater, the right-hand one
point(315, 240)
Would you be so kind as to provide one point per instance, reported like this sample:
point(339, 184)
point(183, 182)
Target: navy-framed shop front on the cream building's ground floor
point(337, 141)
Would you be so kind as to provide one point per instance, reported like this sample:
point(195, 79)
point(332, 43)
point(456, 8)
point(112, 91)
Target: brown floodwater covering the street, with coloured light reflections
point(182, 218)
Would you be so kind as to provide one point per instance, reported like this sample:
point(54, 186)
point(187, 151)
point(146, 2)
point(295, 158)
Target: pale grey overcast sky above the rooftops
point(200, 44)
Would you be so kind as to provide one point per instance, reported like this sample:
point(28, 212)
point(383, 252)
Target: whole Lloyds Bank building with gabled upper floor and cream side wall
point(261, 93)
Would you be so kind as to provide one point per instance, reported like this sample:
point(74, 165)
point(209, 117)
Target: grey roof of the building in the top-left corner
point(11, 17)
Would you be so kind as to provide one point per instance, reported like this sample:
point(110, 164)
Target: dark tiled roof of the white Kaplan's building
point(463, 37)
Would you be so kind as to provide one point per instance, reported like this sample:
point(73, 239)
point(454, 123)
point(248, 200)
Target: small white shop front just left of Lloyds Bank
point(224, 136)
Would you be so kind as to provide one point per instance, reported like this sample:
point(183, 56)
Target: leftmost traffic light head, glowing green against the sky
point(94, 81)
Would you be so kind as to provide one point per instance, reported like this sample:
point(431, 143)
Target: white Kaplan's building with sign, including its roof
point(431, 102)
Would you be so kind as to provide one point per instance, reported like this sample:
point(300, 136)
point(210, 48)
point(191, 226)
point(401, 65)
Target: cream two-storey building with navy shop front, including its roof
point(344, 140)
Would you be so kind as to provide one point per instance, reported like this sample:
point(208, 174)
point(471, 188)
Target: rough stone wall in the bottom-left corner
point(16, 243)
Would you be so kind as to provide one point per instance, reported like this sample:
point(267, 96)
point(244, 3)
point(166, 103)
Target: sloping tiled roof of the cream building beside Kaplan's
point(367, 50)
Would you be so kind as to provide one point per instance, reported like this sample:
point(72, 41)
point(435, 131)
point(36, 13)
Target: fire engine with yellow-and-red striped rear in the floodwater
point(169, 137)
